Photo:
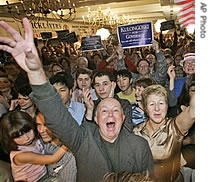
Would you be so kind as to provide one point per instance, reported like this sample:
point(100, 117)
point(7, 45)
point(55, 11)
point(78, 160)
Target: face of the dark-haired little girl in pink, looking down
point(27, 139)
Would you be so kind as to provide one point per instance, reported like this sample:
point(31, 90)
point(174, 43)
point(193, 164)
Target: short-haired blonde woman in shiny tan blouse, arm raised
point(164, 135)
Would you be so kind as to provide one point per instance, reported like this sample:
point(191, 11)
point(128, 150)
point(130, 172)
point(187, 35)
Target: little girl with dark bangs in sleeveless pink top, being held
point(19, 137)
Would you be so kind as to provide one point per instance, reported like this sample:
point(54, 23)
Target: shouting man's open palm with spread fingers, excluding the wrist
point(23, 50)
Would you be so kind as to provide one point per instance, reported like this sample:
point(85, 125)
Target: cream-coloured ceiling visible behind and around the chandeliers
point(137, 10)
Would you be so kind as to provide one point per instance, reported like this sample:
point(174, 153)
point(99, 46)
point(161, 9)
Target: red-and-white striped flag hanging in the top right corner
point(186, 15)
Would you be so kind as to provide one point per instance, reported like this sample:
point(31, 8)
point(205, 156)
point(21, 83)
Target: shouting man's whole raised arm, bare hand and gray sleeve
point(44, 95)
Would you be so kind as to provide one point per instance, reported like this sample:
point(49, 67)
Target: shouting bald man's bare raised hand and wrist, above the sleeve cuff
point(24, 52)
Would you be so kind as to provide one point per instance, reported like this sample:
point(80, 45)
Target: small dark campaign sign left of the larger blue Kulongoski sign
point(91, 43)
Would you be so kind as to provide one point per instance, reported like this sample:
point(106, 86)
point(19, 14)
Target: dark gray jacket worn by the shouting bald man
point(85, 141)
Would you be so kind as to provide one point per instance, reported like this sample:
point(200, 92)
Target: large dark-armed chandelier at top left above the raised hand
point(42, 9)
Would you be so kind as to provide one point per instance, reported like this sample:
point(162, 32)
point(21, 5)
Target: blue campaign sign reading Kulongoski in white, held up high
point(135, 35)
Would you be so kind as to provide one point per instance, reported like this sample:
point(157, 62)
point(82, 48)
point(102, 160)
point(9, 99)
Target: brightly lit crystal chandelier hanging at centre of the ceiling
point(103, 18)
